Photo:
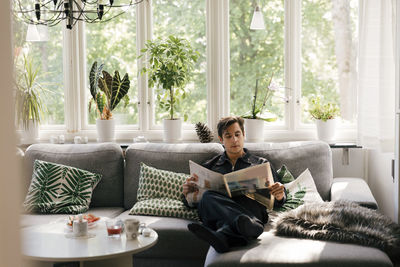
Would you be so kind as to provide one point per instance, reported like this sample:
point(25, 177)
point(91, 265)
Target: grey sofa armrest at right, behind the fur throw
point(353, 189)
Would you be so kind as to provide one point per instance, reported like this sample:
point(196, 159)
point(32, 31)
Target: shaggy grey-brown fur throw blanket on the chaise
point(341, 221)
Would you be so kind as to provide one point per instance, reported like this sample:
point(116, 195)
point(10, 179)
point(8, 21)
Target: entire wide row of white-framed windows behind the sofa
point(300, 48)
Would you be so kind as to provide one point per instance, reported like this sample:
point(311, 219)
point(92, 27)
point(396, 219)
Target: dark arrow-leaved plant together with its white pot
point(107, 91)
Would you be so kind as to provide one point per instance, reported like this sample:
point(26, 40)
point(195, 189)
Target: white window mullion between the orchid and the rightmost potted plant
point(293, 62)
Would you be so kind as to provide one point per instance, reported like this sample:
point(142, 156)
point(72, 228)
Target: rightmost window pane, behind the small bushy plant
point(328, 37)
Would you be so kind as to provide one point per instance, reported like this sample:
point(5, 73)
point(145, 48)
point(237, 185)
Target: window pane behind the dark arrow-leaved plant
point(114, 44)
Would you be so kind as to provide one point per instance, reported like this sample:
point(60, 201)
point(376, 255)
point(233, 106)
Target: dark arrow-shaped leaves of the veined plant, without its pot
point(107, 91)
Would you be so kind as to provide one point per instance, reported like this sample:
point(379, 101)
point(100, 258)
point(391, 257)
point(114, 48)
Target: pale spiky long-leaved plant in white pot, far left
point(28, 100)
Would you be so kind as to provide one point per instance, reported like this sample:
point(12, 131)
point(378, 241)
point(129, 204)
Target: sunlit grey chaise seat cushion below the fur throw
point(271, 250)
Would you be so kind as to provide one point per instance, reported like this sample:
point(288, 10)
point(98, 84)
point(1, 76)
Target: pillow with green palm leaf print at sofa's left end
point(57, 188)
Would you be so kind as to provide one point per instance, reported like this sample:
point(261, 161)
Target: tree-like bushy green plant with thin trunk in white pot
point(170, 64)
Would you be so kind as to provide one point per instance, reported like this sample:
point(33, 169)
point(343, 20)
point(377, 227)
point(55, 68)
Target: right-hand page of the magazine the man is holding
point(251, 182)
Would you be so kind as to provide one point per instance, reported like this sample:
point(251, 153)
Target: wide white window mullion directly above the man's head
point(217, 28)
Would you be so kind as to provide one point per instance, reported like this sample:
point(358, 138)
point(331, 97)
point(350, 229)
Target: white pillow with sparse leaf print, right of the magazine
point(301, 190)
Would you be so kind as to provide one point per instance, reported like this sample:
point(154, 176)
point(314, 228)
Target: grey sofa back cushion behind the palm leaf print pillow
point(103, 158)
